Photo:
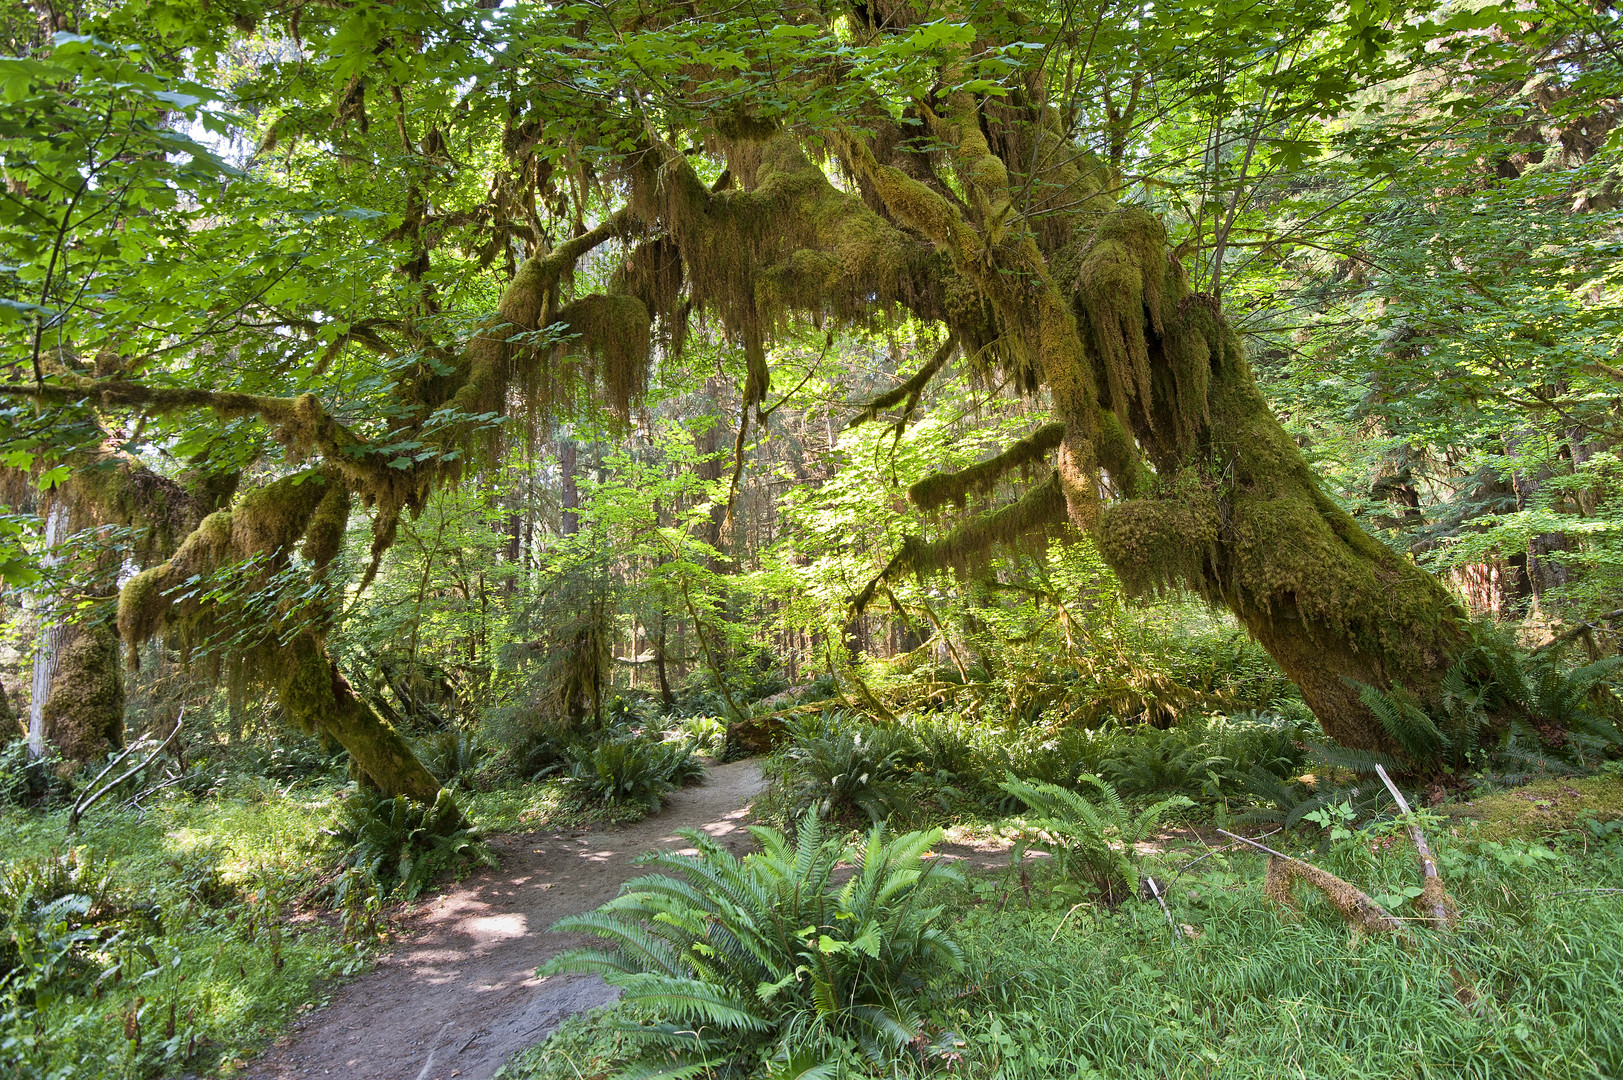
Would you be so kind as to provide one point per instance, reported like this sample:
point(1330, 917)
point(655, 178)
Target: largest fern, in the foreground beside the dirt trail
point(765, 957)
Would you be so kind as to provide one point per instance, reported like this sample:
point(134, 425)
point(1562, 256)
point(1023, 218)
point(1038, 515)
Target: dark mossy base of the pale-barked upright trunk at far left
point(84, 717)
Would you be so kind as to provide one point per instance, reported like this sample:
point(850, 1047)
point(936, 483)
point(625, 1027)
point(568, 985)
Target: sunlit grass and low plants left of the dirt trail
point(244, 941)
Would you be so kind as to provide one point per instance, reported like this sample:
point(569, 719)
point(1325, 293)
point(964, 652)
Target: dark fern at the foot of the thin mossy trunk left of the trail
point(398, 847)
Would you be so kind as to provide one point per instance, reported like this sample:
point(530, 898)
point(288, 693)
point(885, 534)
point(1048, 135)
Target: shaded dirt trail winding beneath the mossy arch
point(460, 993)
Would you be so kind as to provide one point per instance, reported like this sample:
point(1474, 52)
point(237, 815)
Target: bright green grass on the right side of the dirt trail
point(1070, 990)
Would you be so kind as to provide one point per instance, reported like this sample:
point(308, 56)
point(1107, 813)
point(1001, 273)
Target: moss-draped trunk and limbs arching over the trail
point(988, 220)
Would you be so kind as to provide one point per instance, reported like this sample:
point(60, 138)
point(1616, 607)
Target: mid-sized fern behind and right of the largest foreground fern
point(1090, 840)
